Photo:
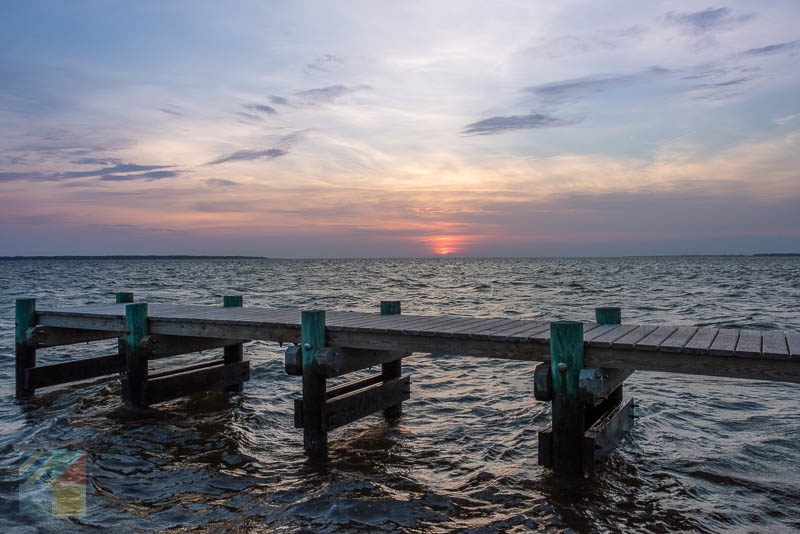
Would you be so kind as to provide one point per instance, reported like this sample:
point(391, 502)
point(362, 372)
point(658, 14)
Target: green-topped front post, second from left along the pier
point(134, 390)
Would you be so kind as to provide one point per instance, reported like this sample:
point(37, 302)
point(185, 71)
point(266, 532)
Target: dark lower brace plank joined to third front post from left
point(350, 407)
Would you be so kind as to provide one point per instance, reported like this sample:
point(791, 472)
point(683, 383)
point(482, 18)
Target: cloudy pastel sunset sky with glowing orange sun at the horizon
point(319, 129)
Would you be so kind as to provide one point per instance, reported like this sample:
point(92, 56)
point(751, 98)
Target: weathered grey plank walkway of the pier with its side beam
point(754, 354)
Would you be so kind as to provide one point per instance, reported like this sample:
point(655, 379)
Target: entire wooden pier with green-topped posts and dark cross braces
point(590, 360)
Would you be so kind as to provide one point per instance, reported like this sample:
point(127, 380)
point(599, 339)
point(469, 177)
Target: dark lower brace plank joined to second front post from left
point(178, 385)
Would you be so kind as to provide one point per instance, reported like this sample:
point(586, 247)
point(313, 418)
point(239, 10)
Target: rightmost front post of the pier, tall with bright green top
point(566, 362)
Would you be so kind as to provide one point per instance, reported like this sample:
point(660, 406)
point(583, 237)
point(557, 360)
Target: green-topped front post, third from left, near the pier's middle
point(312, 339)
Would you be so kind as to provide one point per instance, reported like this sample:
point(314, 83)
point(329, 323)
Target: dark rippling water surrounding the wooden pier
point(705, 454)
